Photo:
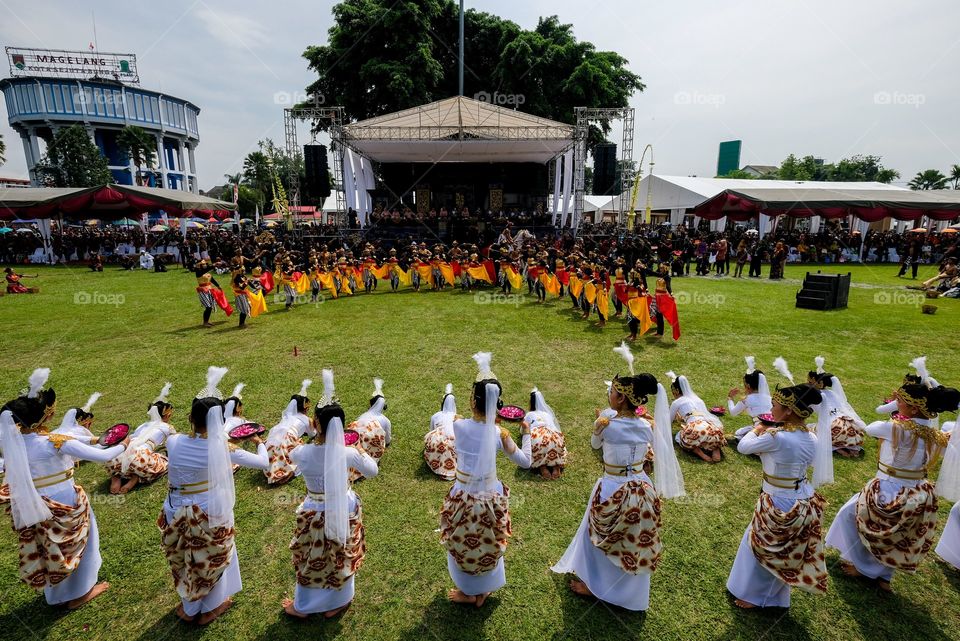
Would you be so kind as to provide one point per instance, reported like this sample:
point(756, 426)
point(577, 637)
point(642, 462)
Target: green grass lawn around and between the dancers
point(143, 329)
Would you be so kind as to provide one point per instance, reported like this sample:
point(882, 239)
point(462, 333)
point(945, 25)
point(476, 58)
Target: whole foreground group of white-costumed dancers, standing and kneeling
point(889, 526)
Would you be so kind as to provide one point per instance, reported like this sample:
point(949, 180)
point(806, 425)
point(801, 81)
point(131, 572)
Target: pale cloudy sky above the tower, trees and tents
point(818, 77)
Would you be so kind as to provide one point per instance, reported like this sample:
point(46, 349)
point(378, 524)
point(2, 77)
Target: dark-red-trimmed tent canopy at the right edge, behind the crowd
point(869, 205)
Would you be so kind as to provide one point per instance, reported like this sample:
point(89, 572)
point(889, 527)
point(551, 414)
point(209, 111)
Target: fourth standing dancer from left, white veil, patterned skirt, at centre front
point(475, 518)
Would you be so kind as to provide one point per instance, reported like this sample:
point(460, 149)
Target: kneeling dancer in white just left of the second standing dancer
point(141, 463)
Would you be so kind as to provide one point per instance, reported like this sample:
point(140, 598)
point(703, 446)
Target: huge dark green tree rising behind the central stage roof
point(384, 55)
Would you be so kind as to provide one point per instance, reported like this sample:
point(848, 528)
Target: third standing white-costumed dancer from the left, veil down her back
point(329, 542)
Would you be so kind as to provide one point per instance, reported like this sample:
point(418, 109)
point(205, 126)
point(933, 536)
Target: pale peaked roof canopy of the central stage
point(459, 129)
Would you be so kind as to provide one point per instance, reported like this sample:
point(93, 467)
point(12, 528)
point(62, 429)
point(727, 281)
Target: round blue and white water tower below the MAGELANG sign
point(38, 106)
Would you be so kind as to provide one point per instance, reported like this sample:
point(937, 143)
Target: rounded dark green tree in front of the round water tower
point(73, 160)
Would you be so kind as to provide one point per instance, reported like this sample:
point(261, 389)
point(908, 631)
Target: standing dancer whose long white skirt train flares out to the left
point(617, 545)
